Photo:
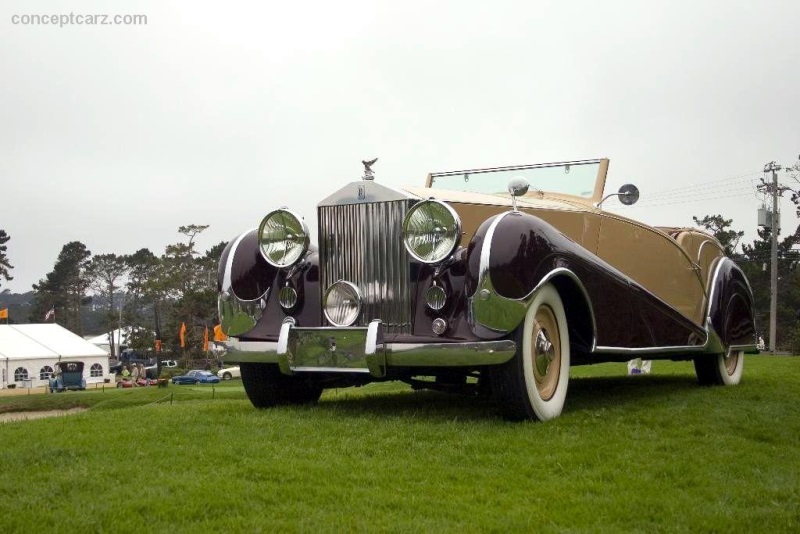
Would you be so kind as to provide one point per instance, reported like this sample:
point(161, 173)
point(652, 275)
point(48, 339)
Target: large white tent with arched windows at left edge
point(29, 352)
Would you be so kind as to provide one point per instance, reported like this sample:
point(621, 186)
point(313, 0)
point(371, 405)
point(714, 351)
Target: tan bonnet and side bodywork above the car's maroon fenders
point(677, 275)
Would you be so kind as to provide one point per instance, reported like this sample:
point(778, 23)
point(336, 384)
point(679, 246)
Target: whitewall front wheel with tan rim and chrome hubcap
point(533, 385)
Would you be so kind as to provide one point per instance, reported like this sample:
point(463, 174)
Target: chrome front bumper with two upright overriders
point(361, 350)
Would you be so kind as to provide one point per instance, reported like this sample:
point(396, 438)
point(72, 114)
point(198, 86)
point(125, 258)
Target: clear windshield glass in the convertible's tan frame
point(576, 178)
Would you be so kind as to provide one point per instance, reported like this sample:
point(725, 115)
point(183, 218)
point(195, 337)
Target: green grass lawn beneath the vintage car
point(647, 453)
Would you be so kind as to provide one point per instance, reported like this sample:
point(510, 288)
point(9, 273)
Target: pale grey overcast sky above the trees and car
point(215, 112)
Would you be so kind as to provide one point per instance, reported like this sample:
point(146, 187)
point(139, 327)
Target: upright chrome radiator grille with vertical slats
point(362, 243)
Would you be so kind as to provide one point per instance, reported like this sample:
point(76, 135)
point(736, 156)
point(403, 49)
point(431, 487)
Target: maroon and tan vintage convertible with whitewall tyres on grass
point(493, 281)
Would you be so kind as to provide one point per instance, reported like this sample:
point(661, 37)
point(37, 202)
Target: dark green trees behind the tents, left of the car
point(152, 295)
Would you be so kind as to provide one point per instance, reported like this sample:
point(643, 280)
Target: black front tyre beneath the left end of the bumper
point(266, 386)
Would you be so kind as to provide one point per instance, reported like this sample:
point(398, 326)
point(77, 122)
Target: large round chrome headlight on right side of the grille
point(431, 231)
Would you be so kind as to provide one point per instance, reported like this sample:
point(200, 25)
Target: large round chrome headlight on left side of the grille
point(283, 238)
